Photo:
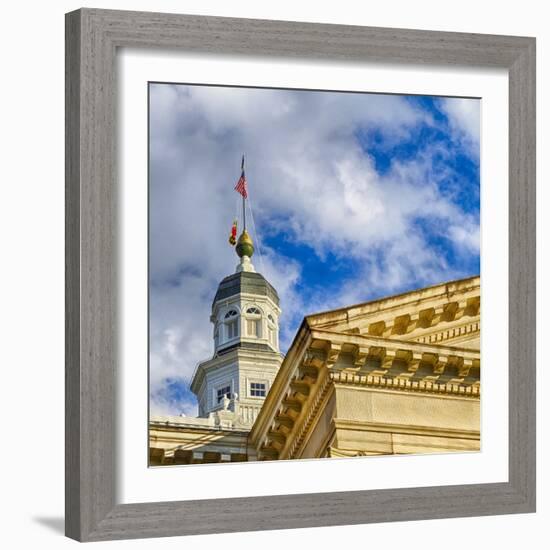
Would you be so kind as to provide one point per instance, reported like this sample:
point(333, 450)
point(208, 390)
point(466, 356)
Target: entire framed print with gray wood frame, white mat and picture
point(283, 241)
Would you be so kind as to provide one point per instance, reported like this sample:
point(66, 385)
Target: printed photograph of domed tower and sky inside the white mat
point(313, 274)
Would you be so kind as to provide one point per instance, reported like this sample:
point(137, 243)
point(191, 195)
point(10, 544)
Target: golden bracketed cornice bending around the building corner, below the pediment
point(320, 359)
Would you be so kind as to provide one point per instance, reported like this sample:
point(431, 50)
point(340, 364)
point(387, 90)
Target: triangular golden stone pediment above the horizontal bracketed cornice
point(448, 313)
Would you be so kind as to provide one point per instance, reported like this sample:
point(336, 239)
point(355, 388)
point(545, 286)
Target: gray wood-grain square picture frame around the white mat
point(92, 39)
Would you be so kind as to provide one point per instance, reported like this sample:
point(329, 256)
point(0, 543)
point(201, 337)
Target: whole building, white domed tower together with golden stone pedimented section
point(392, 376)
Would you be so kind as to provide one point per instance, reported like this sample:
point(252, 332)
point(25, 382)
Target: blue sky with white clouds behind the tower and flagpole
point(355, 196)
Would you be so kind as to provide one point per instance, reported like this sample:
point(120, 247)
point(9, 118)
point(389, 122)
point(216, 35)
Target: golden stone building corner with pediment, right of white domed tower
point(397, 375)
